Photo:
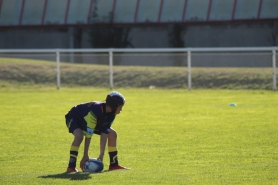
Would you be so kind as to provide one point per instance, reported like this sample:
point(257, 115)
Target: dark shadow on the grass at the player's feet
point(71, 176)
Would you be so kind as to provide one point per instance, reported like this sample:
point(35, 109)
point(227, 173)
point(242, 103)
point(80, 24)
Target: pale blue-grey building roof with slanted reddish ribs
point(14, 13)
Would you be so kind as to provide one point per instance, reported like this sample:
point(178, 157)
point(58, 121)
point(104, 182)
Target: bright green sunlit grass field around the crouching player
point(165, 136)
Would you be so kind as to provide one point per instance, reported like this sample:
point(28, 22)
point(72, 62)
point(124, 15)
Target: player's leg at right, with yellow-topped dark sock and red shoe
point(113, 152)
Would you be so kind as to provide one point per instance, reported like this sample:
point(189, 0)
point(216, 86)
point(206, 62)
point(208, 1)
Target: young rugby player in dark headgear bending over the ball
point(90, 118)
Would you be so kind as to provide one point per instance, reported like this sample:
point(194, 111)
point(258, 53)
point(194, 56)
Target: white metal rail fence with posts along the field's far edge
point(173, 68)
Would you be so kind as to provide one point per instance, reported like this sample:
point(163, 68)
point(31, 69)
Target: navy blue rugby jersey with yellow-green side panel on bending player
point(92, 118)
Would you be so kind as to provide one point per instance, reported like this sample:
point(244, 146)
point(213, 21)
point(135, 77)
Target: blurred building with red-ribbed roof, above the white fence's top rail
point(137, 23)
